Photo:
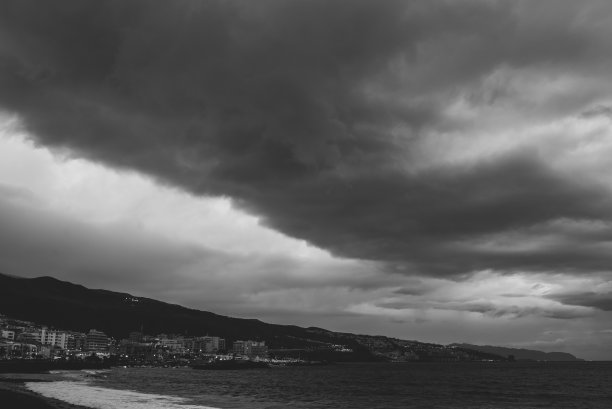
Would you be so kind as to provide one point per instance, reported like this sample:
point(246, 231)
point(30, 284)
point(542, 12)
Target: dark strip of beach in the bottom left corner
point(14, 394)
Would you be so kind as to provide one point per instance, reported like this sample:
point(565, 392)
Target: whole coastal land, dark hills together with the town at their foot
point(48, 319)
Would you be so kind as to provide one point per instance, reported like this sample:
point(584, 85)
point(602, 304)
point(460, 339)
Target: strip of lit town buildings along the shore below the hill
point(24, 340)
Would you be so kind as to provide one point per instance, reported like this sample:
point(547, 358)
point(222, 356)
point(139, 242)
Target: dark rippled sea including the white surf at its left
point(354, 386)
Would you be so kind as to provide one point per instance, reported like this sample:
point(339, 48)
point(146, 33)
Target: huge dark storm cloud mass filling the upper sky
point(293, 109)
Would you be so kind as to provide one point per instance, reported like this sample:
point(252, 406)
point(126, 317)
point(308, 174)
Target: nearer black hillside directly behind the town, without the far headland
point(64, 305)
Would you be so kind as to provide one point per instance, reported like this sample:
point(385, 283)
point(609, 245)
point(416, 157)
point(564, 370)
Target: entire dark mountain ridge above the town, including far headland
point(63, 305)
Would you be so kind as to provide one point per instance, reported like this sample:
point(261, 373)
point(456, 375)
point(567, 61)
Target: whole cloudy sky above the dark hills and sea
point(430, 170)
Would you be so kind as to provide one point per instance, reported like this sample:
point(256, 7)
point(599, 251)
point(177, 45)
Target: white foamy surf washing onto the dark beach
point(81, 393)
